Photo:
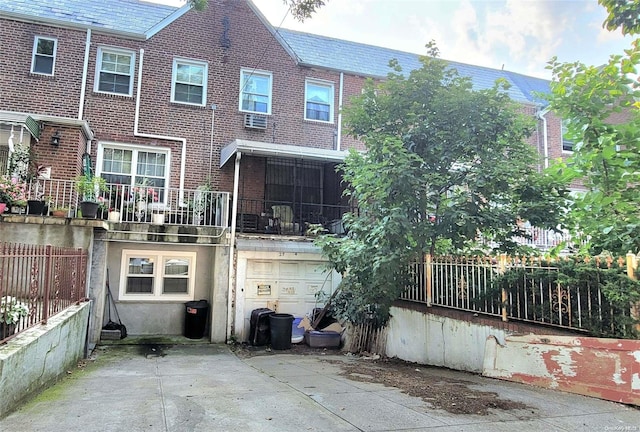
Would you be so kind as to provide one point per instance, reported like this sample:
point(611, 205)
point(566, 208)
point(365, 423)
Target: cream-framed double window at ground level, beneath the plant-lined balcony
point(157, 275)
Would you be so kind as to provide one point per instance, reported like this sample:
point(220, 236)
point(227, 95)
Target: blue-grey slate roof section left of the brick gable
point(130, 16)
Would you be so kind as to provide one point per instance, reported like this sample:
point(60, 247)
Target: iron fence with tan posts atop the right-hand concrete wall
point(531, 289)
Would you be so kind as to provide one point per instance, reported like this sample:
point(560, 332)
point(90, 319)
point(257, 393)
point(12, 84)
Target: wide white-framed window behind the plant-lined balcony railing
point(124, 166)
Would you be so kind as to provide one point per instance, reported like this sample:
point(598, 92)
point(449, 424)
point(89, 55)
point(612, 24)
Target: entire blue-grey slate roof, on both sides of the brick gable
point(138, 17)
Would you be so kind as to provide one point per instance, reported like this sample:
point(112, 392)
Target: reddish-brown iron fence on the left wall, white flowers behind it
point(37, 282)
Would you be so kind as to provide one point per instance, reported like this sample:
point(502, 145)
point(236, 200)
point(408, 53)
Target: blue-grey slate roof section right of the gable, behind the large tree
point(369, 60)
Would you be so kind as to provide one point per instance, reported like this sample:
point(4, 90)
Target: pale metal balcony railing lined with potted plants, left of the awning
point(124, 203)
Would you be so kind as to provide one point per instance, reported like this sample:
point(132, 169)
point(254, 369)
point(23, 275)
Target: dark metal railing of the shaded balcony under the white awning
point(288, 218)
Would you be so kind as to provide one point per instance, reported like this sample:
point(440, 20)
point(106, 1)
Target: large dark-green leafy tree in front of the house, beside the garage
point(444, 165)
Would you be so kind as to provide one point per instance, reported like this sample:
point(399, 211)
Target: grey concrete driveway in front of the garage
point(208, 388)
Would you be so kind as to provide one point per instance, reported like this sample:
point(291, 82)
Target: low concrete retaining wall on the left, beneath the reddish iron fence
point(36, 358)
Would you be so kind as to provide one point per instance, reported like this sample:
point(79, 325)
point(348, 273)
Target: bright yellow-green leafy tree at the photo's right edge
point(600, 105)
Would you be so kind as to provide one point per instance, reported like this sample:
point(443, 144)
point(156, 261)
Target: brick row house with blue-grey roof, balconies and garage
point(216, 103)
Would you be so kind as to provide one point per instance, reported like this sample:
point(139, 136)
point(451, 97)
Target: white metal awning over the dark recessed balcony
point(257, 148)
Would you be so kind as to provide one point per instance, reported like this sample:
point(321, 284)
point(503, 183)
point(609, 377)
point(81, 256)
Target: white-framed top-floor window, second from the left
point(114, 71)
